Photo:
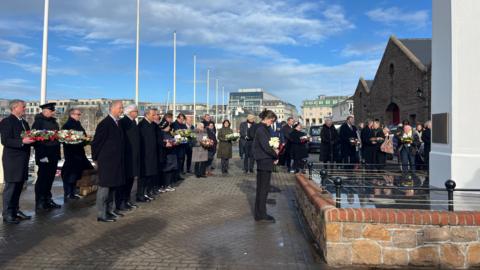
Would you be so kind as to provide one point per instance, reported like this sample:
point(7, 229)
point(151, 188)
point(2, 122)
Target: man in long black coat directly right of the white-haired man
point(148, 156)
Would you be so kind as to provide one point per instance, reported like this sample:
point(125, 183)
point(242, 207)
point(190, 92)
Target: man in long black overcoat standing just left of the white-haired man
point(108, 151)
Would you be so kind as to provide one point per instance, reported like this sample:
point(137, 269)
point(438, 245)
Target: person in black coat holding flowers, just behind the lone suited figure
point(299, 150)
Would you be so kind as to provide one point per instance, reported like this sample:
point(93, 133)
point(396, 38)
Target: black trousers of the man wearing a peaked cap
point(45, 177)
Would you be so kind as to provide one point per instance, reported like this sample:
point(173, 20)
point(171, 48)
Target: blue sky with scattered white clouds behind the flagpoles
point(294, 49)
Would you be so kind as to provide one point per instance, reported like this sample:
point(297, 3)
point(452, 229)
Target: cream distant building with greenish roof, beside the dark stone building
point(314, 111)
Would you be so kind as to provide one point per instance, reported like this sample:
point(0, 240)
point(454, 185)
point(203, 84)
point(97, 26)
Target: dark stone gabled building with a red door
point(401, 88)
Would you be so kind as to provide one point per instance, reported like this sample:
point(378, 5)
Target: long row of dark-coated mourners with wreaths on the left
point(123, 151)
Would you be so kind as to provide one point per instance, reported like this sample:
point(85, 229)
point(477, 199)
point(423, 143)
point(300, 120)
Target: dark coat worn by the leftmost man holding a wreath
point(15, 154)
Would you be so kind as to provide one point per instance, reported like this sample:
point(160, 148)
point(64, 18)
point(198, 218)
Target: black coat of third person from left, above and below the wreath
point(75, 159)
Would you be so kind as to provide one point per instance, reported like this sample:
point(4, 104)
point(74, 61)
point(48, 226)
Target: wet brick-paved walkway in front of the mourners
point(205, 224)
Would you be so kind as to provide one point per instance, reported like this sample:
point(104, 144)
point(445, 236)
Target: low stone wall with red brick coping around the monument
point(389, 237)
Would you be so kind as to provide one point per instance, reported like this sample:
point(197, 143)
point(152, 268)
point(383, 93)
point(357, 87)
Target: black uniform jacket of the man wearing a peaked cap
point(49, 149)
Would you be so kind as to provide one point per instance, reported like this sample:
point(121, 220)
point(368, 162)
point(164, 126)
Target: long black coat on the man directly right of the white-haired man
point(148, 148)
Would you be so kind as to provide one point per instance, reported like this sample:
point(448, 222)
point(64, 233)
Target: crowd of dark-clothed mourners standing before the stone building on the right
point(371, 144)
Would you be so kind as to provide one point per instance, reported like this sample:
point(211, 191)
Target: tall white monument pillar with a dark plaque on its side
point(455, 58)
